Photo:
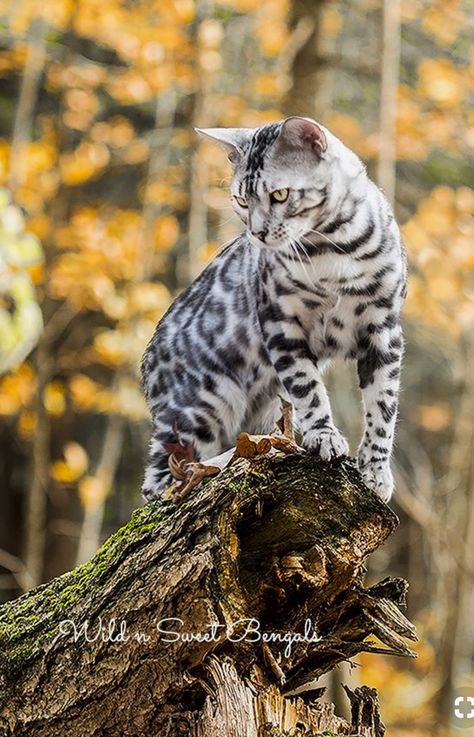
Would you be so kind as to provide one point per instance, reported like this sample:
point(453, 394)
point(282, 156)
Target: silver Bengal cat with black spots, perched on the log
point(317, 276)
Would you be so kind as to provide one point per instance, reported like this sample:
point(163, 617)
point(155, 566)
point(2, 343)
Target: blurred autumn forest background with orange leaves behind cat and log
point(109, 206)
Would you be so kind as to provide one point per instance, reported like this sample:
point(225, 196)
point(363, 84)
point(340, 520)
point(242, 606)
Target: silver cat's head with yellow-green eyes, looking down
point(288, 177)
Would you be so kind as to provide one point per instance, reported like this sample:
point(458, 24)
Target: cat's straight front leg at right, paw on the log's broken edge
point(379, 372)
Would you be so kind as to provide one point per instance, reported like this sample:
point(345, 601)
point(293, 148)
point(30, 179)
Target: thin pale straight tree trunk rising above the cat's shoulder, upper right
point(386, 168)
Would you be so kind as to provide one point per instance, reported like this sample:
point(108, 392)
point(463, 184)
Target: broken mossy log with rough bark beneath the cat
point(281, 540)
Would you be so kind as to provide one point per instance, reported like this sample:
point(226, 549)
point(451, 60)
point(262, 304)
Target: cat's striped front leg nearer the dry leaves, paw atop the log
point(301, 375)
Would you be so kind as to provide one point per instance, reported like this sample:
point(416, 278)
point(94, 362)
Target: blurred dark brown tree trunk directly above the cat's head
point(307, 65)
